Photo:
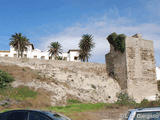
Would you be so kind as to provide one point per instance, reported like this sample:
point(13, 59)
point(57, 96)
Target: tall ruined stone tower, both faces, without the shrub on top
point(135, 68)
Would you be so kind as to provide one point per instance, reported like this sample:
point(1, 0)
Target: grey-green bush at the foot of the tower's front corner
point(124, 99)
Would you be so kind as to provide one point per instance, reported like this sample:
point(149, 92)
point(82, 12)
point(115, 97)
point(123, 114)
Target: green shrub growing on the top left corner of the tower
point(118, 41)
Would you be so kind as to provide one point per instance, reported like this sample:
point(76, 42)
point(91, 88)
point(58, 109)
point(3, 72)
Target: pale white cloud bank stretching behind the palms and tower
point(100, 28)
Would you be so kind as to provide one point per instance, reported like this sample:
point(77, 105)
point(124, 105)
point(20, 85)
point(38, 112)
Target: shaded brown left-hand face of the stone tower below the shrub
point(116, 67)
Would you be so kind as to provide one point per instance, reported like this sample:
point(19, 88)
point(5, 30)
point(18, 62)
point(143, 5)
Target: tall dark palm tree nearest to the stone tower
point(86, 45)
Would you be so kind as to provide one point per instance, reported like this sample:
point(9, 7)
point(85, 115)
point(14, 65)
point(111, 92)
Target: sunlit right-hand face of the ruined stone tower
point(141, 74)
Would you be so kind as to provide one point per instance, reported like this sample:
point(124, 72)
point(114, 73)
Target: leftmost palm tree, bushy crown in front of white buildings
point(19, 43)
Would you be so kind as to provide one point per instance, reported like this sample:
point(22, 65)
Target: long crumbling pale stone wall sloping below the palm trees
point(87, 82)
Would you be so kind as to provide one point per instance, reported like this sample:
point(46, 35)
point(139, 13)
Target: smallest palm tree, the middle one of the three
point(55, 49)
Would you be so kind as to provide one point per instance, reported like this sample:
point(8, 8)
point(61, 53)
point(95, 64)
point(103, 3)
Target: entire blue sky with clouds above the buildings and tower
point(44, 21)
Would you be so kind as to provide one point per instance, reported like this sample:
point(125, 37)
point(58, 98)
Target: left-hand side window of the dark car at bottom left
point(18, 116)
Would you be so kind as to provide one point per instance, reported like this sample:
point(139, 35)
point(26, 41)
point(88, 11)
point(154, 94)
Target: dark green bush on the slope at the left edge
point(5, 79)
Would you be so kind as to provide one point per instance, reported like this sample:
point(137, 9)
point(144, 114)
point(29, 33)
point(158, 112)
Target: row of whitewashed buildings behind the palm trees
point(32, 53)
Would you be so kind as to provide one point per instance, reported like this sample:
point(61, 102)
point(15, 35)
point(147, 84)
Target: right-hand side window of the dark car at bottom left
point(37, 116)
